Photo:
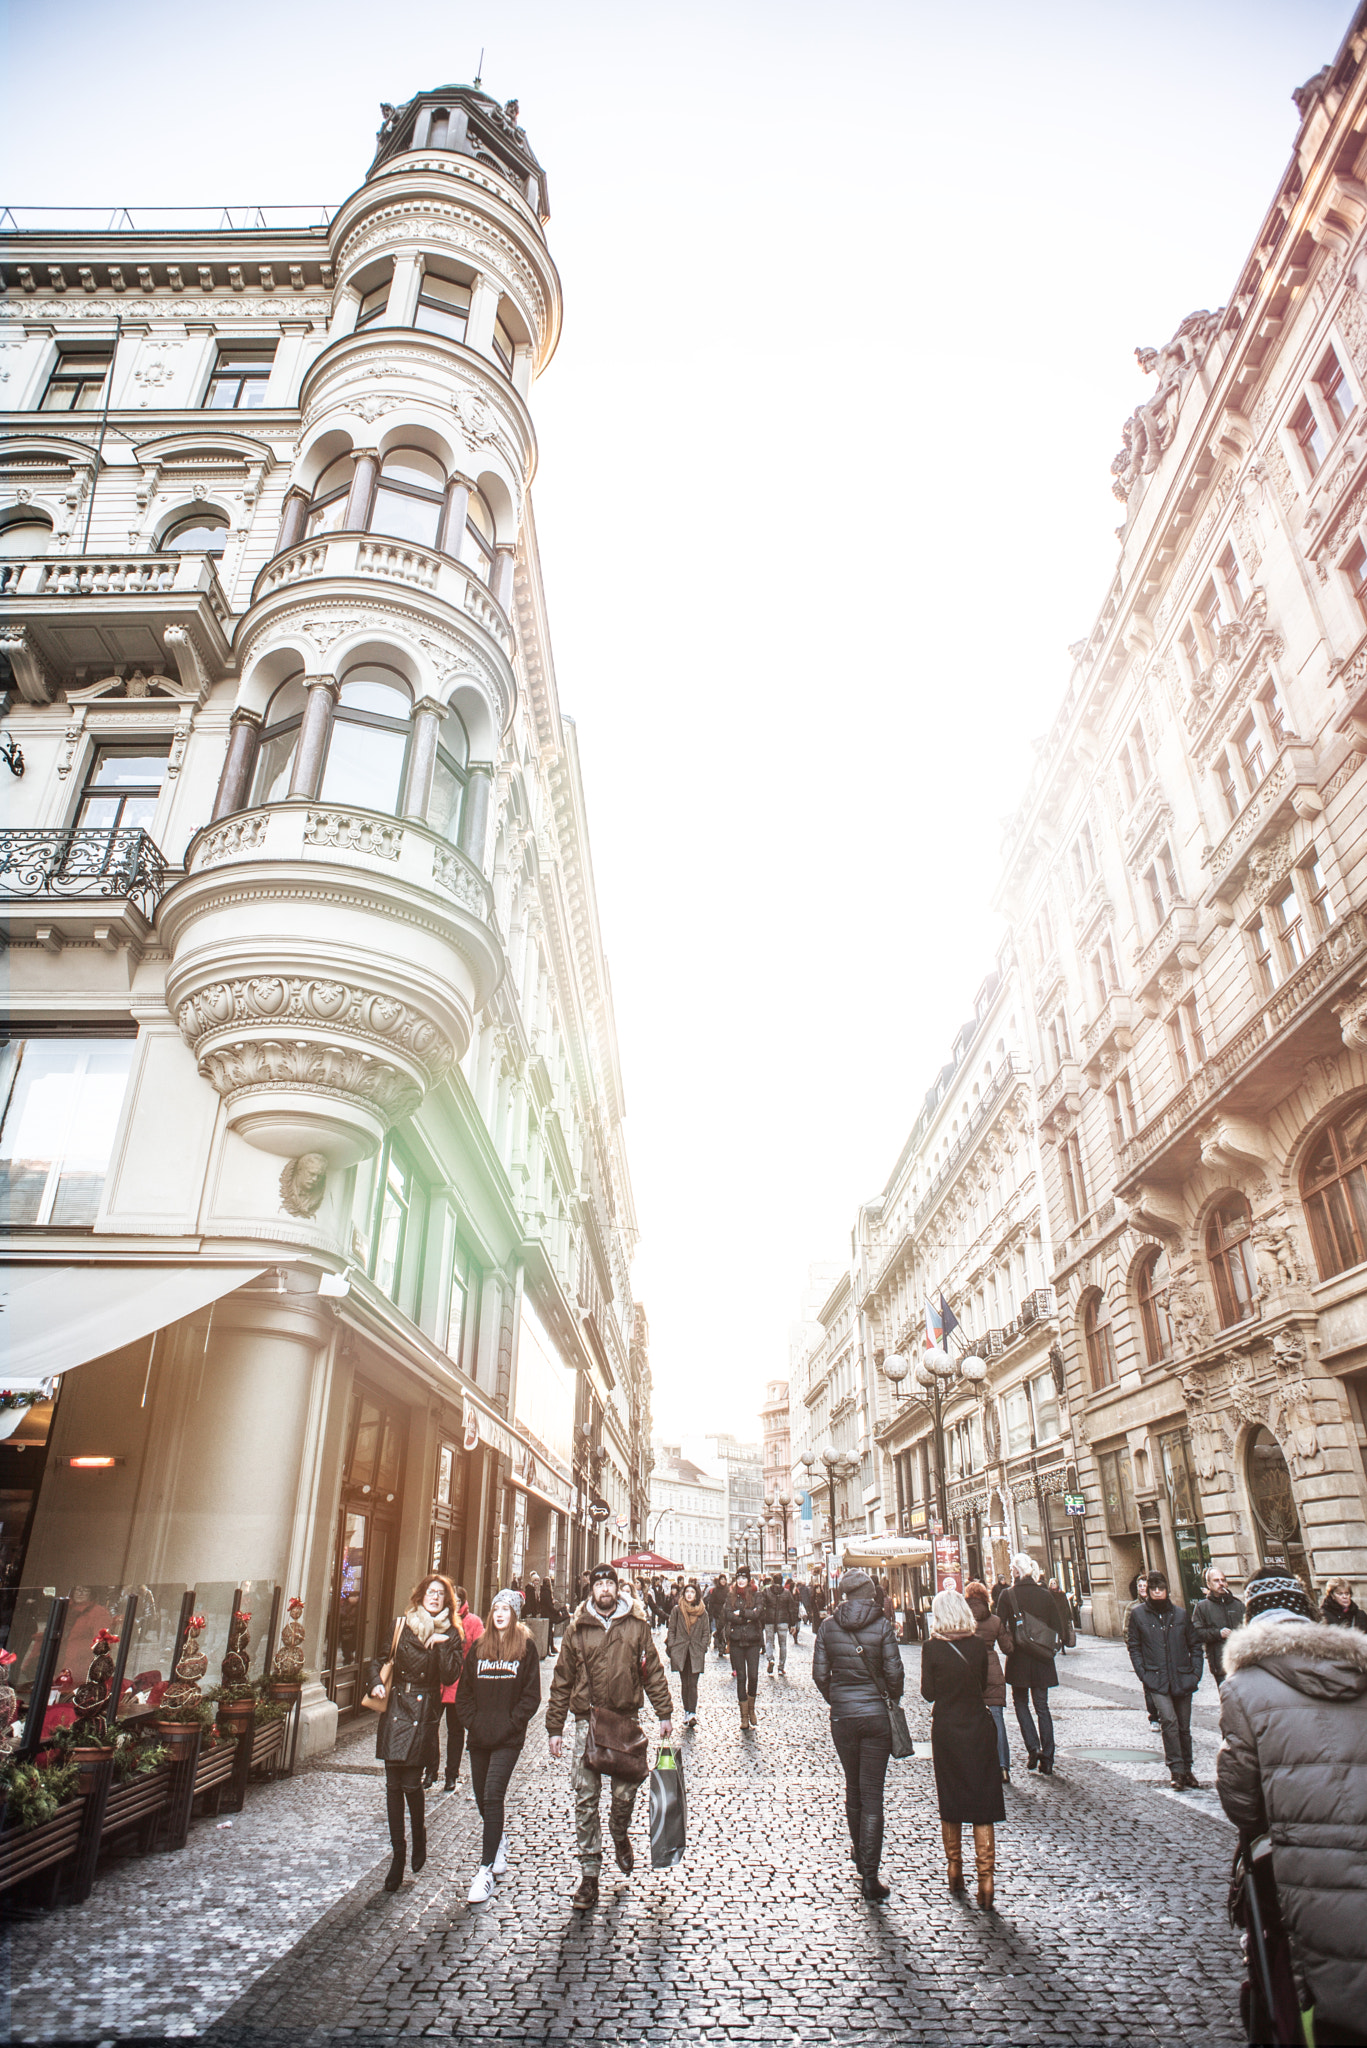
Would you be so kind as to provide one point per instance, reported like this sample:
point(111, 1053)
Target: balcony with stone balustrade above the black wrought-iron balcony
point(110, 613)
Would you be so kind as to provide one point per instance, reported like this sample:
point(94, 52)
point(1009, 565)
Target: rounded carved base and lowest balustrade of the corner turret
point(327, 968)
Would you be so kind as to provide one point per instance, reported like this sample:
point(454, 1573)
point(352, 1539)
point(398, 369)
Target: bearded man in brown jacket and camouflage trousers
point(610, 1660)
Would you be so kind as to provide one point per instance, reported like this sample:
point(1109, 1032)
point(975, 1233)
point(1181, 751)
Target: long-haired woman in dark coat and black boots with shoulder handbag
point(425, 1656)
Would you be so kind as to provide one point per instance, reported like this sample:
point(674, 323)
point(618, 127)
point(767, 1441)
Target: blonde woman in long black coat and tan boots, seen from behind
point(968, 1783)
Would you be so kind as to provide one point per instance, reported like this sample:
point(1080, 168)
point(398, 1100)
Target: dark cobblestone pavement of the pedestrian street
point(276, 1932)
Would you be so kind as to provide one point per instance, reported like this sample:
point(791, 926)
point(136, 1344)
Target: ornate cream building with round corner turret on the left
point(319, 1209)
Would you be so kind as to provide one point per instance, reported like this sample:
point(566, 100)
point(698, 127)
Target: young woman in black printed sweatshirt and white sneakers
point(501, 1691)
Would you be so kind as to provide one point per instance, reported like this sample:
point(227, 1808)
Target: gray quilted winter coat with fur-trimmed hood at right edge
point(1294, 1764)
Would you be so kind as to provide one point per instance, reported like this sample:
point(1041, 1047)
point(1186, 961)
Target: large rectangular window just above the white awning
point(60, 1103)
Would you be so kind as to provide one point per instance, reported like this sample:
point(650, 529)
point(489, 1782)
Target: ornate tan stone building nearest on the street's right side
point(1188, 884)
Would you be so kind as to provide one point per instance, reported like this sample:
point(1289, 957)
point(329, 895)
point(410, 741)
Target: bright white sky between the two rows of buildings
point(852, 306)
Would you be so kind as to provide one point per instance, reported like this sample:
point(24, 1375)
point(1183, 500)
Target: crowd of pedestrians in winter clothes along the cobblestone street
point(1292, 1684)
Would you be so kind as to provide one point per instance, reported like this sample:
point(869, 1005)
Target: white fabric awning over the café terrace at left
point(54, 1318)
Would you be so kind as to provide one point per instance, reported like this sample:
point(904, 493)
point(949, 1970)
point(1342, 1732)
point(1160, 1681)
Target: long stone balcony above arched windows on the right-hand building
point(1251, 1070)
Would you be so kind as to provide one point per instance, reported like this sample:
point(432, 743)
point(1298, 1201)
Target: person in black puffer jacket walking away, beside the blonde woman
point(858, 1668)
